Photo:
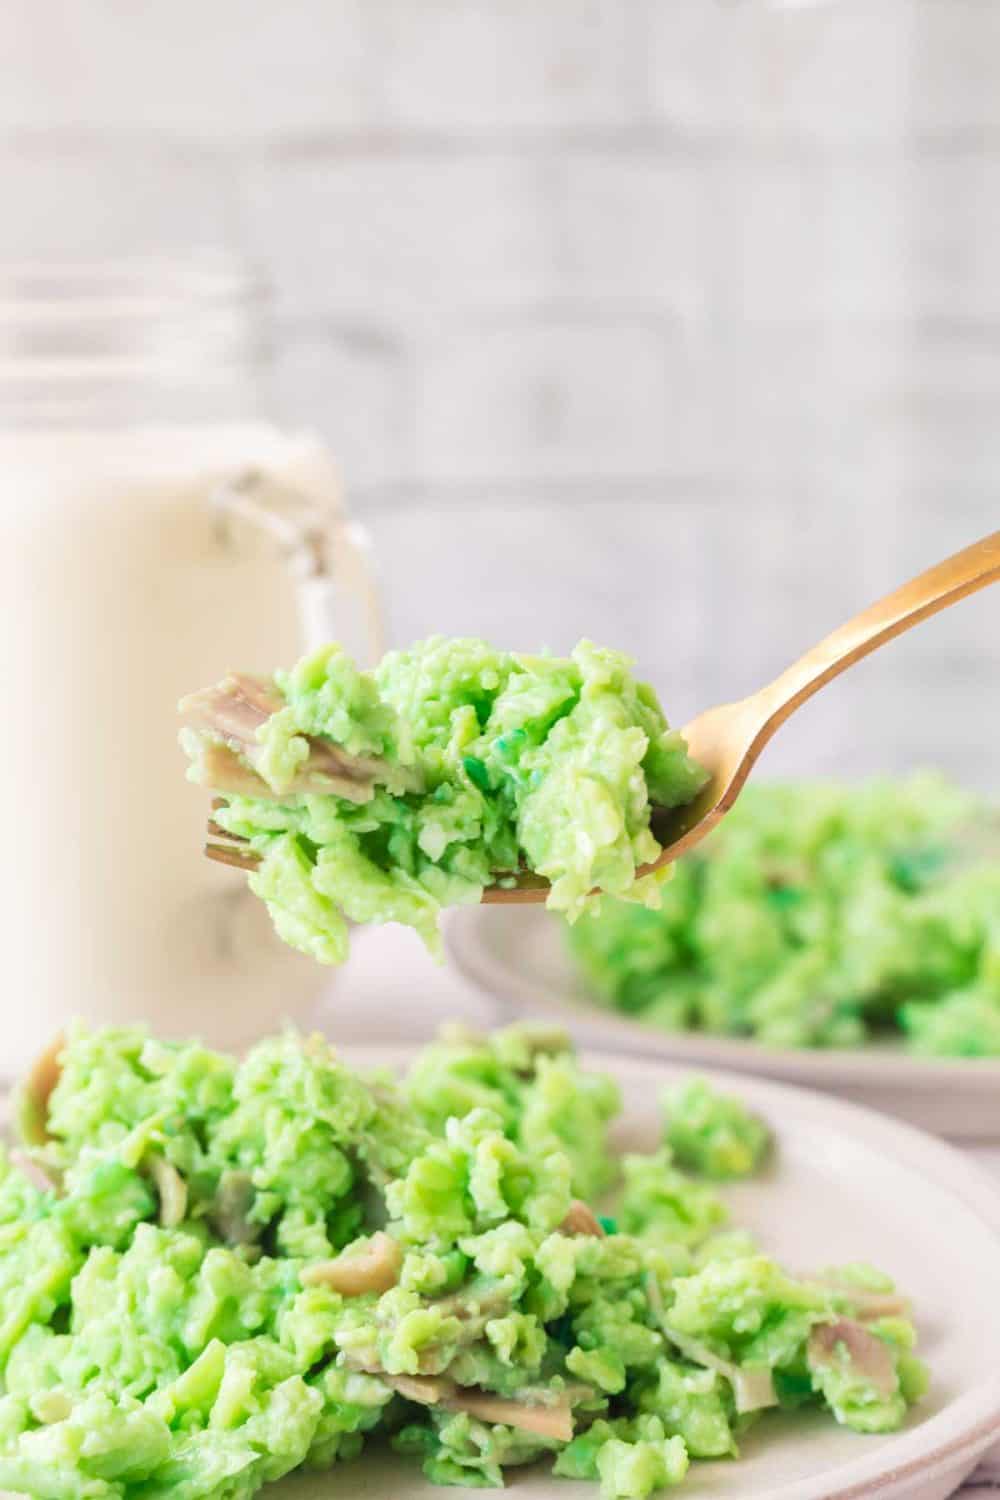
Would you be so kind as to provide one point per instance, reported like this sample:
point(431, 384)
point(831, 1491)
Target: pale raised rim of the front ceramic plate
point(972, 1421)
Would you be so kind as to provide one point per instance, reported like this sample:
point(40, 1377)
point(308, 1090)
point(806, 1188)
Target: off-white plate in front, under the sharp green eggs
point(846, 1186)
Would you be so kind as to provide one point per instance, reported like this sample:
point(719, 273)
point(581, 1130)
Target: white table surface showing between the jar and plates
point(391, 991)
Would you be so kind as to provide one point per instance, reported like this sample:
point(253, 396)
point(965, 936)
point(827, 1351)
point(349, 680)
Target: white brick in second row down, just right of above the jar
point(403, 239)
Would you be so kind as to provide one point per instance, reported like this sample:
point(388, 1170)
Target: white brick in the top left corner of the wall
point(236, 70)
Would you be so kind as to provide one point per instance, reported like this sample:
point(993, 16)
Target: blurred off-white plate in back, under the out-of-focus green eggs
point(518, 955)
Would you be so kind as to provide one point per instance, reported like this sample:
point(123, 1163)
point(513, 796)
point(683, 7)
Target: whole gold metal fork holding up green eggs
point(728, 740)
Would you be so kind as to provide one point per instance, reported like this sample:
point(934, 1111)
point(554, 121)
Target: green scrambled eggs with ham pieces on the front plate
point(215, 1273)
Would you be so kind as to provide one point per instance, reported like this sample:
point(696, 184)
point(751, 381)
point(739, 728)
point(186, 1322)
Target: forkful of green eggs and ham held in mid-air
point(386, 796)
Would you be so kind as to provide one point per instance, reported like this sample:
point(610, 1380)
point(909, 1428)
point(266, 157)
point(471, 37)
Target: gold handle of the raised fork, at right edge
point(924, 596)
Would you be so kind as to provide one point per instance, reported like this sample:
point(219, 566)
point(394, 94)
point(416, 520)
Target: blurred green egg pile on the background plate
point(819, 916)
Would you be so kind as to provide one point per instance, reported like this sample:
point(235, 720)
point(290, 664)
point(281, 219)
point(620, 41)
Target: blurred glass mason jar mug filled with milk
point(157, 533)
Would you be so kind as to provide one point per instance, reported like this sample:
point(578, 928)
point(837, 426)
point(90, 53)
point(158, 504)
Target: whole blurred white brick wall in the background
point(671, 322)
